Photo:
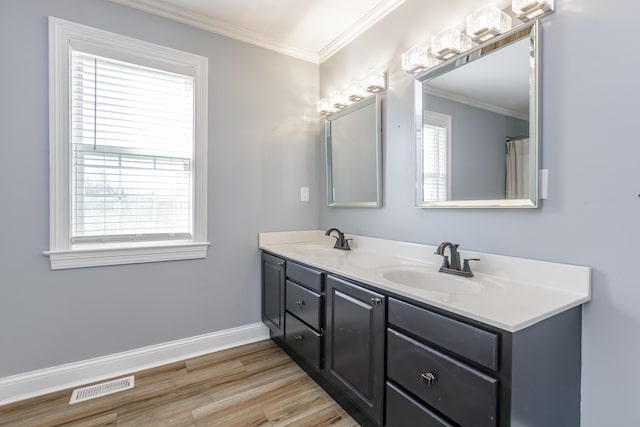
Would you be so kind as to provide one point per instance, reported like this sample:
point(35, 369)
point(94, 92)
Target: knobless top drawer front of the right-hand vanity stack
point(468, 341)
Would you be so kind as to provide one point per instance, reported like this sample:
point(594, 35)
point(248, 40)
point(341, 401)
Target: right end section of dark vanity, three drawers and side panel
point(453, 371)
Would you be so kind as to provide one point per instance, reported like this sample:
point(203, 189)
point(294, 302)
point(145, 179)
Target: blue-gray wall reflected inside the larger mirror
point(478, 166)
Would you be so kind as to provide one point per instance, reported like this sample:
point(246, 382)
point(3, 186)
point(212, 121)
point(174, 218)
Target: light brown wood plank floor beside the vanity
point(251, 385)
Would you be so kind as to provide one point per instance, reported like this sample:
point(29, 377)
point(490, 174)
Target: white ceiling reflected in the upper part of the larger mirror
point(499, 79)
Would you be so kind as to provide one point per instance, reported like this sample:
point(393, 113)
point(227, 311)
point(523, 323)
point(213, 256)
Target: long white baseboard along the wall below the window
point(44, 381)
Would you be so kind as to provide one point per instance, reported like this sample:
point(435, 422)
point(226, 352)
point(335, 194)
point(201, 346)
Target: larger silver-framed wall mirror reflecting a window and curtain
point(477, 126)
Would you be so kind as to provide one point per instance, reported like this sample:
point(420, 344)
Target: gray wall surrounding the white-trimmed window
point(262, 148)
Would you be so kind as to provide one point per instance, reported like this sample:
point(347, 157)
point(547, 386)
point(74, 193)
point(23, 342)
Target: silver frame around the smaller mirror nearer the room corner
point(374, 99)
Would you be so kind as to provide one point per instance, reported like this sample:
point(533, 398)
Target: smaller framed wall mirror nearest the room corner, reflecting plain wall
point(354, 155)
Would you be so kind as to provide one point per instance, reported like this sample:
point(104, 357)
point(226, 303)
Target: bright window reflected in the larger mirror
point(436, 150)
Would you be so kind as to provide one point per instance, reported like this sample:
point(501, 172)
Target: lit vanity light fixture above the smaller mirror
point(374, 82)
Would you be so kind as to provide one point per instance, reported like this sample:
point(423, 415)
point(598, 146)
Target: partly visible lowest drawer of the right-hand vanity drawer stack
point(404, 411)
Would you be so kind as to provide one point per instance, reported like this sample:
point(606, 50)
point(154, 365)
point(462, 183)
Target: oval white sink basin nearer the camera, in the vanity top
point(429, 279)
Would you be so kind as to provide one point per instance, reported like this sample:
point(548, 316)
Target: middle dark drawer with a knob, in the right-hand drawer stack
point(465, 395)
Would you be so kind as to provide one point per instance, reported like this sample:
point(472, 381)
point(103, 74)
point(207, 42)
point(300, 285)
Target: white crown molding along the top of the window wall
point(216, 26)
